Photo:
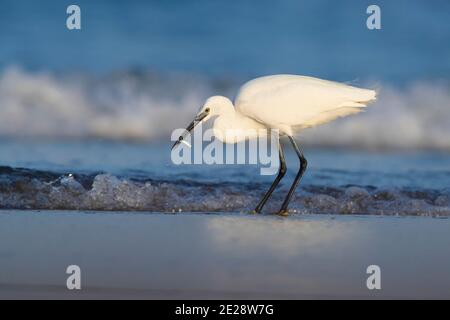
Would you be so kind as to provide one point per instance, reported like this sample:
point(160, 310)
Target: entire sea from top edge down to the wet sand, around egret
point(86, 116)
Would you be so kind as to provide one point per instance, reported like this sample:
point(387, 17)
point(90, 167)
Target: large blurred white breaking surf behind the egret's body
point(142, 105)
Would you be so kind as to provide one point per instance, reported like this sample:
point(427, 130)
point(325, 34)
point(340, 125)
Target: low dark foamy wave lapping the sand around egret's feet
point(32, 189)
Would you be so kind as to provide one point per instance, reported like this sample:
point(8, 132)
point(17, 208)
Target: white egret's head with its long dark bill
point(213, 107)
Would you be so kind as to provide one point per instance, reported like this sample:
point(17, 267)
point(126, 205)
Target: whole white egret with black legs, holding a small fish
point(288, 103)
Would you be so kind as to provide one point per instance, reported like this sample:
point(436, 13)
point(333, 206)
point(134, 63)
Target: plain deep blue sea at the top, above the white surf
point(236, 39)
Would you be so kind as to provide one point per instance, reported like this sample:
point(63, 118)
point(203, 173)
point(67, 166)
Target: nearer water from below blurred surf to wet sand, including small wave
point(140, 177)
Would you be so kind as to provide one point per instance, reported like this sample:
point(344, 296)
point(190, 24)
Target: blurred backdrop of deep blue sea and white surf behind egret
point(138, 69)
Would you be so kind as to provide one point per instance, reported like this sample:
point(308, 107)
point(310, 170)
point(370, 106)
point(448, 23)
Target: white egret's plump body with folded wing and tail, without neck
point(297, 102)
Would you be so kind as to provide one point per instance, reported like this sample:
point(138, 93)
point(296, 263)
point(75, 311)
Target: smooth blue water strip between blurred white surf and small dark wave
point(327, 167)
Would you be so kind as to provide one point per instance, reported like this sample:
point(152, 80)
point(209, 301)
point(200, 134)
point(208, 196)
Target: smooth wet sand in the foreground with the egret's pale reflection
point(231, 256)
